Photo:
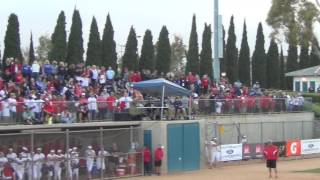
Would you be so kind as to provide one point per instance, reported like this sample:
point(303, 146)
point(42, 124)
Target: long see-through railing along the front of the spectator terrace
point(41, 112)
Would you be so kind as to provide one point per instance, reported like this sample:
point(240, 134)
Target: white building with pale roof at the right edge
point(305, 78)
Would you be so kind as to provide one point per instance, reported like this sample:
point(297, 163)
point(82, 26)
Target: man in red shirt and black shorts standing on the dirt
point(271, 153)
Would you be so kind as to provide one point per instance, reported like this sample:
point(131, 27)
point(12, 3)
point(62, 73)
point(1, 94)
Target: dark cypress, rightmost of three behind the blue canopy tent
point(163, 52)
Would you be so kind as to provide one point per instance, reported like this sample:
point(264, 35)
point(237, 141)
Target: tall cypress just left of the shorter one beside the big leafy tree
point(259, 64)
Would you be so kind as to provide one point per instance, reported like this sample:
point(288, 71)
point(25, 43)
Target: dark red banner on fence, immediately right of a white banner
point(252, 151)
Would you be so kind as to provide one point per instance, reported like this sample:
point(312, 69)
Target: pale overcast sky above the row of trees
point(40, 16)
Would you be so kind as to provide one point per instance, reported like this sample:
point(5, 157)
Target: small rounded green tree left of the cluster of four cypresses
point(43, 47)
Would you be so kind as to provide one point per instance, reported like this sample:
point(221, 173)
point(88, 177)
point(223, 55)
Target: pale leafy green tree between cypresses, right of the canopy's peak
point(178, 55)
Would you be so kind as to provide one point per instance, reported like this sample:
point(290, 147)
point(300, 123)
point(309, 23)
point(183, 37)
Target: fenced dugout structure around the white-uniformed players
point(127, 135)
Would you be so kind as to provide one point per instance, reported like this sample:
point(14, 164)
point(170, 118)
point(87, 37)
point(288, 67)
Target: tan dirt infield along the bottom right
point(247, 172)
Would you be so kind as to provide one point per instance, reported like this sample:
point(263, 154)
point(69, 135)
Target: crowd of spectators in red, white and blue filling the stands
point(54, 91)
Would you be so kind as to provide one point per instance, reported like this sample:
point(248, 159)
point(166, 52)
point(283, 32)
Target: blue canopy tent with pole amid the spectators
point(161, 88)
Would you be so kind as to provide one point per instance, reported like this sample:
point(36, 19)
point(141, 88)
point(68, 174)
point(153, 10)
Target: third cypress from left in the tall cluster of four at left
point(94, 45)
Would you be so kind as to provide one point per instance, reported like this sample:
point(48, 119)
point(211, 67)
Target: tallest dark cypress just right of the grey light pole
point(232, 54)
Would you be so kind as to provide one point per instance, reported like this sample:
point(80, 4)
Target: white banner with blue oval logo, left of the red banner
point(231, 152)
